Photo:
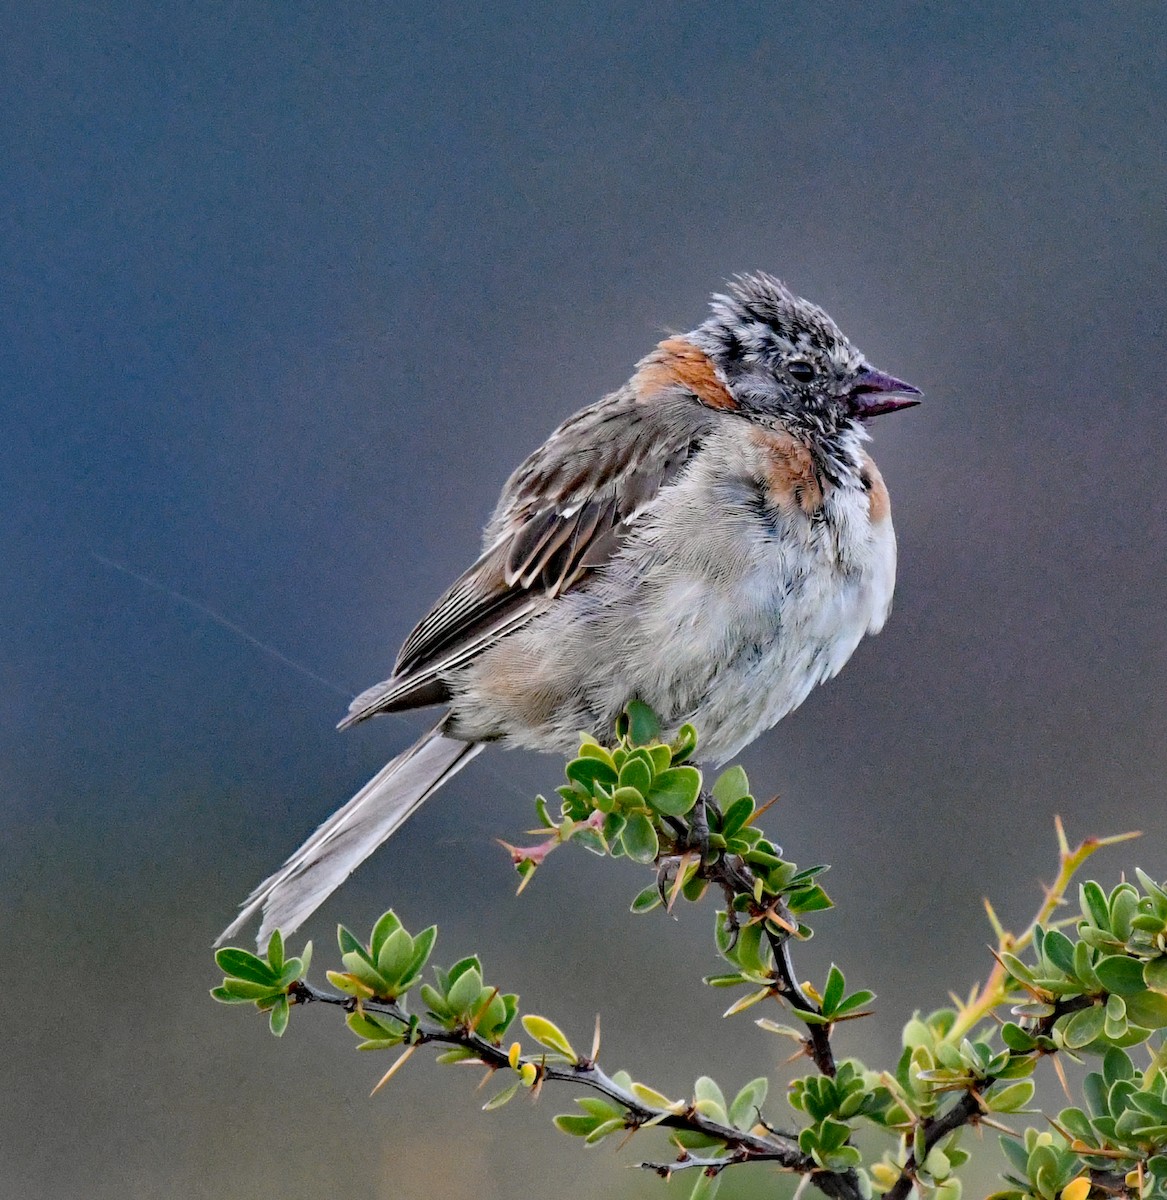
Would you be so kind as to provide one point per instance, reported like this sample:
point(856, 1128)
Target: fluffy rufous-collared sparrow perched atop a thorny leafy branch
point(711, 539)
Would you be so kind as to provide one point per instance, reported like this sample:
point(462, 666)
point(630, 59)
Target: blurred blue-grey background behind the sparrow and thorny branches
point(289, 290)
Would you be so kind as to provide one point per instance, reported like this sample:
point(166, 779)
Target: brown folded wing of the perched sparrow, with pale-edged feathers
point(562, 514)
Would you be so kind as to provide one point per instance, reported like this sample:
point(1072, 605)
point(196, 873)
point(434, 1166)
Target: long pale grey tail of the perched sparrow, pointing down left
point(351, 835)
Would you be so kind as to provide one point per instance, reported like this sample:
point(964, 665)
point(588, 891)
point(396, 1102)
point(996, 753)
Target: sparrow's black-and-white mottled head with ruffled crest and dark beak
point(786, 362)
